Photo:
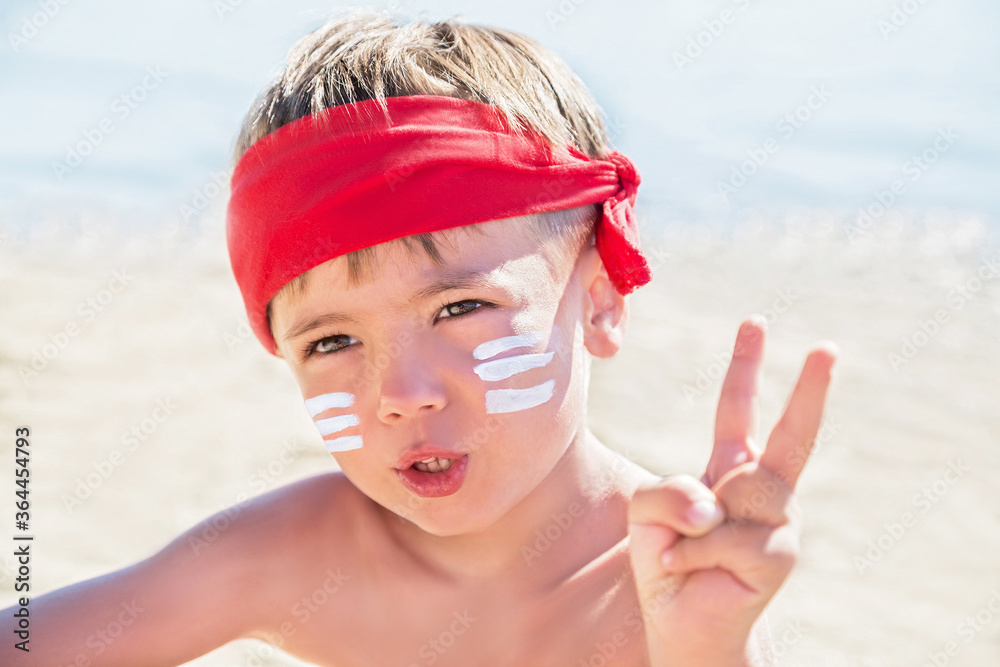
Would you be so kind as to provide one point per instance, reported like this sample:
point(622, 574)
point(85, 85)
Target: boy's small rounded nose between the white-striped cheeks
point(409, 385)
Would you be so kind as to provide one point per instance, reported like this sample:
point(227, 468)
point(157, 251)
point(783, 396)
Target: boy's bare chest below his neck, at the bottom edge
point(593, 621)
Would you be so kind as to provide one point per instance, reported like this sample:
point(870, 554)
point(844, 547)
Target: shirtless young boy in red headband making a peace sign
point(429, 228)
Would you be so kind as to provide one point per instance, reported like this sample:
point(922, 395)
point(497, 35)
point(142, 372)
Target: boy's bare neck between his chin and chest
point(584, 499)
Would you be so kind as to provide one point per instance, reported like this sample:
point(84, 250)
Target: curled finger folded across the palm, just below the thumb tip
point(759, 556)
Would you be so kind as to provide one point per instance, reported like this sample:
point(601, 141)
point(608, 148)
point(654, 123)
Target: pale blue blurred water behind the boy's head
point(778, 106)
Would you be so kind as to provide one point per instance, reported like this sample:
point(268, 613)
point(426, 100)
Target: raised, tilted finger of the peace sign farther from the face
point(794, 436)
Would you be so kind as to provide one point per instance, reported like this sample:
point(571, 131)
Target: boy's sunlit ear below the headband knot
point(605, 311)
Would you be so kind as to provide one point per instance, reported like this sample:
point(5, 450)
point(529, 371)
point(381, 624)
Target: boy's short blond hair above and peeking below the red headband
point(365, 54)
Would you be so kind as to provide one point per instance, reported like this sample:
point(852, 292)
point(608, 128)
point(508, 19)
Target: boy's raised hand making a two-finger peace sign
point(709, 555)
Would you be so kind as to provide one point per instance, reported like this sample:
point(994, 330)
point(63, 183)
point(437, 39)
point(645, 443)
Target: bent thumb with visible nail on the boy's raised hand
point(679, 502)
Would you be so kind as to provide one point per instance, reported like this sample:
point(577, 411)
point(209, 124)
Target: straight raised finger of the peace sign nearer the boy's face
point(737, 417)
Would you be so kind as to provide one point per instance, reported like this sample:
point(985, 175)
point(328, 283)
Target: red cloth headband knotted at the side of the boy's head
point(349, 177)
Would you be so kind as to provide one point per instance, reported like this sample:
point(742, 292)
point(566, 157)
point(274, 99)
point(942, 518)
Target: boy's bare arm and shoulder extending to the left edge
point(204, 589)
